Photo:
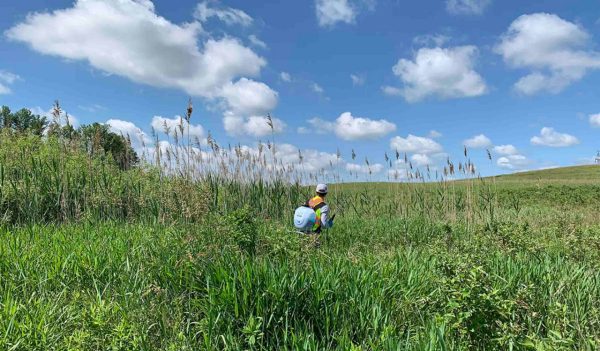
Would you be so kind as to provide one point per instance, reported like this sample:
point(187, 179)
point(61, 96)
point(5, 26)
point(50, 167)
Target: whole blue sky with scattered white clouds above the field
point(518, 78)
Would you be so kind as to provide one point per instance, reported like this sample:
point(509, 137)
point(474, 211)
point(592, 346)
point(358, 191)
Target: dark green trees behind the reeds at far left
point(95, 139)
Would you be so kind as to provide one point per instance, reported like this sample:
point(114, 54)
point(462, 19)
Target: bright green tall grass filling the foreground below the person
point(188, 287)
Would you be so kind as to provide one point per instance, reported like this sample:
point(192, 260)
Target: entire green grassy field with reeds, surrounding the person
point(95, 258)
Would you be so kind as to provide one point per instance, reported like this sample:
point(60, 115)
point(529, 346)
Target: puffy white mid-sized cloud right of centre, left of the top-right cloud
point(443, 72)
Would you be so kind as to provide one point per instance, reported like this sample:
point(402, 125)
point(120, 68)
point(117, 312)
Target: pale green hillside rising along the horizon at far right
point(575, 174)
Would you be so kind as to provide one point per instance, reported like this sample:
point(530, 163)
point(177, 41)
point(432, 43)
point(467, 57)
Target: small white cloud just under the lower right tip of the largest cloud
point(256, 126)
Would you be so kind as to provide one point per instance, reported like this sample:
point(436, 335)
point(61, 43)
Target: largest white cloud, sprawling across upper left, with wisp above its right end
point(129, 39)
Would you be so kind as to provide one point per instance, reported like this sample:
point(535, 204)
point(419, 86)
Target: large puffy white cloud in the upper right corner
point(557, 52)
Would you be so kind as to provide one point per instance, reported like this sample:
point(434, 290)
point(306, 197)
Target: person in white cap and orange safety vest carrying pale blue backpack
point(314, 215)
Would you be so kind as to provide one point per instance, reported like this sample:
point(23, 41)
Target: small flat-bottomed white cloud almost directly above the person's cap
point(348, 127)
